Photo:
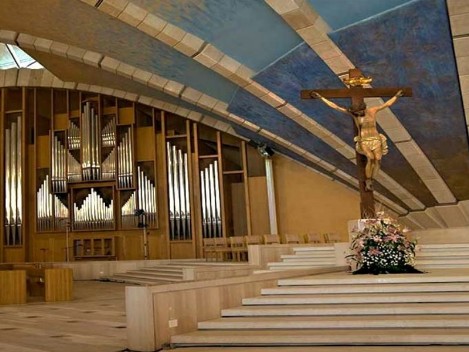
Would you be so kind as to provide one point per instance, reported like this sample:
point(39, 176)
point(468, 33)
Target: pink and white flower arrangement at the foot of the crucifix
point(382, 248)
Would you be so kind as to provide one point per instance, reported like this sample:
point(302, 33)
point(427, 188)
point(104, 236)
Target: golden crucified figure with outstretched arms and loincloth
point(369, 141)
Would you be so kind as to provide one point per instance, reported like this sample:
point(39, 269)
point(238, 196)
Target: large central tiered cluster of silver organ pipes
point(93, 152)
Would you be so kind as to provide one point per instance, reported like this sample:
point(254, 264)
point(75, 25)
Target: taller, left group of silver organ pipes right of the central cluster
point(179, 197)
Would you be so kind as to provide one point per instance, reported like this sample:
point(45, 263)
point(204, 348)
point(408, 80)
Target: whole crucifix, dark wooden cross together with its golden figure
point(370, 145)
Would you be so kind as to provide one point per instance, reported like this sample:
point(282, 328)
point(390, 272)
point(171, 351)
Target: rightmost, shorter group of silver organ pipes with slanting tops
point(210, 201)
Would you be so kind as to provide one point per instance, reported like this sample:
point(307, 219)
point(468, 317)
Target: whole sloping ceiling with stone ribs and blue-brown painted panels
point(239, 65)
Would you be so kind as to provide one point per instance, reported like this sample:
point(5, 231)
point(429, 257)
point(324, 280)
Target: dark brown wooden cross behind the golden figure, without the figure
point(357, 93)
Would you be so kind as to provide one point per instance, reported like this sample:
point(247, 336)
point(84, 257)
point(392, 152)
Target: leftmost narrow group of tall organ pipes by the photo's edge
point(13, 182)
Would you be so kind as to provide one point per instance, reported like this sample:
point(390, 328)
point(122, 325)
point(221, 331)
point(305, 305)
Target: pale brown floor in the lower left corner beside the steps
point(93, 322)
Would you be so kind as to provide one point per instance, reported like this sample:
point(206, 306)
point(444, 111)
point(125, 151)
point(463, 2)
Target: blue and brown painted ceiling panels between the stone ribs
point(397, 42)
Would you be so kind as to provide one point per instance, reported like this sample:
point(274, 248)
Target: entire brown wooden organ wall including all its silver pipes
point(89, 176)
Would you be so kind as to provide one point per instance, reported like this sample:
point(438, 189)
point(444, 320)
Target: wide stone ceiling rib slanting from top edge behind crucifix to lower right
point(299, 15)
